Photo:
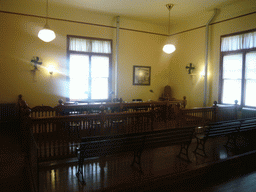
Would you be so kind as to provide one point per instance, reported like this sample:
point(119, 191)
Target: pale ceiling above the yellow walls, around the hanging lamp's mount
point(154, 11)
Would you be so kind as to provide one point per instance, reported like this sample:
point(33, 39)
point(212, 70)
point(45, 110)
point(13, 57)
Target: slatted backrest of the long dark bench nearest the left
point(106, 145)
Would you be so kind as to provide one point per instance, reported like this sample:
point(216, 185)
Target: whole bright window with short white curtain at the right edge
point(238, 69)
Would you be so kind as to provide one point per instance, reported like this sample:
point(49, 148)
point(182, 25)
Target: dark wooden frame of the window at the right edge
point(225, 53)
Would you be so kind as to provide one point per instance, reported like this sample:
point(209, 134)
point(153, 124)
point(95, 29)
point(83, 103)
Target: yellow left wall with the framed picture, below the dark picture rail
point(19, 43)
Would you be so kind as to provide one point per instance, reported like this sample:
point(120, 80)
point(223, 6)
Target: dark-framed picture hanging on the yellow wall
point(141, 75)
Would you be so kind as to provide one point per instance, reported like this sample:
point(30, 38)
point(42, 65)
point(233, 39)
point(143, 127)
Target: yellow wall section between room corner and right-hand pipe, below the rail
point(190, 48)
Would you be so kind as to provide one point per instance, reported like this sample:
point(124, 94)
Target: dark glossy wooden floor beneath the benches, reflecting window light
point(225, 169)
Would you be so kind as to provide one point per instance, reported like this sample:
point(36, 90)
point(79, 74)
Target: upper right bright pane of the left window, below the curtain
point(100, 66)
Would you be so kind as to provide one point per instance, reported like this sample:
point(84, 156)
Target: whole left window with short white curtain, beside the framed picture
point(89, 69)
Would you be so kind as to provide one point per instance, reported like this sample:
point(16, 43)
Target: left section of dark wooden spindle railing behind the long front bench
point(58, 137)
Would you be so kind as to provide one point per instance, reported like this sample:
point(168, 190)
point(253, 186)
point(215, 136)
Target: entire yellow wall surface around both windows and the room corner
point(19, 43)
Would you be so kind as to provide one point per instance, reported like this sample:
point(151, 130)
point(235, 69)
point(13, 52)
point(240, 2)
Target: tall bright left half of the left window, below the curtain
point(79, 77)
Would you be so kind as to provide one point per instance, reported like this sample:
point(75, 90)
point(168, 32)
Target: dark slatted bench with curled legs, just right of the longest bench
point(223, 128)
